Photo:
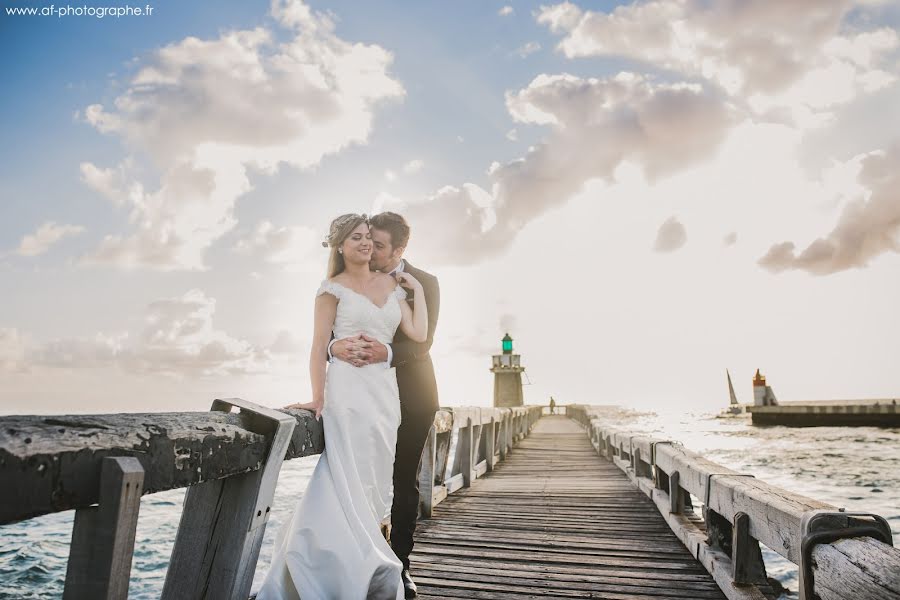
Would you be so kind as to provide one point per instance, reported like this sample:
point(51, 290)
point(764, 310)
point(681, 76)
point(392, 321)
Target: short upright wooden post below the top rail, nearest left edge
point(103, 536)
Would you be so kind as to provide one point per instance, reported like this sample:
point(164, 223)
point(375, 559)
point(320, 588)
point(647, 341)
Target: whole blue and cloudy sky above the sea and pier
point(642, 194)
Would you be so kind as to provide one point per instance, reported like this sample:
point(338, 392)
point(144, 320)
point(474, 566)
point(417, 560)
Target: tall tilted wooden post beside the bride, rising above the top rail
point(223, 521)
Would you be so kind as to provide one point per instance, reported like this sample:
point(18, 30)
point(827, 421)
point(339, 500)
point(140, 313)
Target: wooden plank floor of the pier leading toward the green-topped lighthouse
point(554, 521)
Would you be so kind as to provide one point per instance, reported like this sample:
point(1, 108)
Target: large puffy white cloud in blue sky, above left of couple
point(207, 111)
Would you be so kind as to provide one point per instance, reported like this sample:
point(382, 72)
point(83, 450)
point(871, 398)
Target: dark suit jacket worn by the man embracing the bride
point(415, 371)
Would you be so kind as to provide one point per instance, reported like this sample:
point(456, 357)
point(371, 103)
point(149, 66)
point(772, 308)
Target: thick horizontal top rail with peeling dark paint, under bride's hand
point(52, 463)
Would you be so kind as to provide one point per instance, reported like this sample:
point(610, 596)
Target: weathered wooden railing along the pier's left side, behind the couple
point(101, 465)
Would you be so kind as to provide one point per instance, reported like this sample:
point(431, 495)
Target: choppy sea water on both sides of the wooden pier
point(857, 468)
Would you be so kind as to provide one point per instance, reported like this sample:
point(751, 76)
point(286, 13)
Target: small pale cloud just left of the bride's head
point(291, 246)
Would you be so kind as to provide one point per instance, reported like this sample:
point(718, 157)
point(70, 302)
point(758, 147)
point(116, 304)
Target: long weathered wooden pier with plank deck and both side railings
point(512, 505)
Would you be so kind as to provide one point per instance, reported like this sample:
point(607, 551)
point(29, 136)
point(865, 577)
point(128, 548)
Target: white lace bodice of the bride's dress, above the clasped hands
point(356, 313)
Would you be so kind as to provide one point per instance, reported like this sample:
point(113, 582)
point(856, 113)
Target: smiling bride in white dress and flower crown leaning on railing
point(332, 547)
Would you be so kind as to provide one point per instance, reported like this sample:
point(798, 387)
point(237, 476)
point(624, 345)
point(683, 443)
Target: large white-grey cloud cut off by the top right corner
point(793, 54)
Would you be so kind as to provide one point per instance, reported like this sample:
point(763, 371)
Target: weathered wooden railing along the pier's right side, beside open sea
point(840, 554)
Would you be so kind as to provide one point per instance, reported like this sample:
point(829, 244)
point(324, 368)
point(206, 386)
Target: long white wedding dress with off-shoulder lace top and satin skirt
point(332, 547)
